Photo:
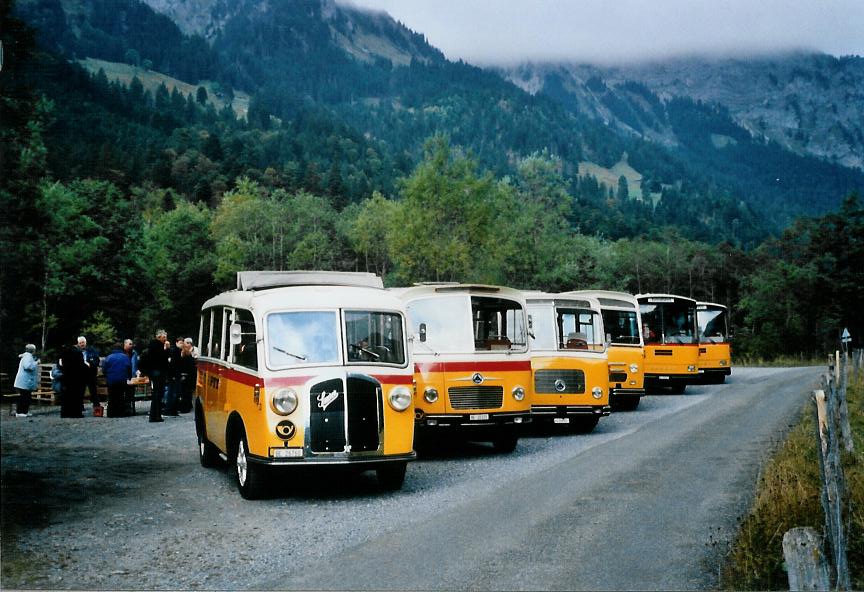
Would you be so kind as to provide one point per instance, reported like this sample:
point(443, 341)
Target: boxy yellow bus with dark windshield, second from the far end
point(671, 344)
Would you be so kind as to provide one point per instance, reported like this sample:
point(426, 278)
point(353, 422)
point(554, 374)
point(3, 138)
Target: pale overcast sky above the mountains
point(507, 31)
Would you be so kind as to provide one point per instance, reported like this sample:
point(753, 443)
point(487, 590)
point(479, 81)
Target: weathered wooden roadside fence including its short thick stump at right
point(806, 563)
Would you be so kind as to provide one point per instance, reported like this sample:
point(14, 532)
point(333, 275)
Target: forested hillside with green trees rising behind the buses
point(123, 209)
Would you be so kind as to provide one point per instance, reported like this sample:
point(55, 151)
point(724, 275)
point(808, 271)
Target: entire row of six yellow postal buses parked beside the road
point(301, 368)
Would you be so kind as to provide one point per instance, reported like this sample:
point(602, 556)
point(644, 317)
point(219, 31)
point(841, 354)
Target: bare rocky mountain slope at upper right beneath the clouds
point(809, 104)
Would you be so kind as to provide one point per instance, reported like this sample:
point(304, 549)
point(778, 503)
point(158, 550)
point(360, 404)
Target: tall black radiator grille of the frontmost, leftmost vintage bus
point(329, 431)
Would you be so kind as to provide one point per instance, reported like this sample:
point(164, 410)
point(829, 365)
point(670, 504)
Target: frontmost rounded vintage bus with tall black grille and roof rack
point(305, 368)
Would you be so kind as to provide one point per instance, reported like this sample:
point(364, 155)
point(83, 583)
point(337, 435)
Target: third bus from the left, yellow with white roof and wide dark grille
point(569, 364)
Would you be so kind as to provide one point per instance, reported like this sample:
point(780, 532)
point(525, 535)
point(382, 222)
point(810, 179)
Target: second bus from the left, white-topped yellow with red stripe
point(472, 367)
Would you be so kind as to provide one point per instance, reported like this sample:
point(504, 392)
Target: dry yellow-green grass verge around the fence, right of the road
point(788, 496)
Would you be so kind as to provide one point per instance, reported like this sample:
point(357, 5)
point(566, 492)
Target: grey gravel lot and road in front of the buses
point(649, 500)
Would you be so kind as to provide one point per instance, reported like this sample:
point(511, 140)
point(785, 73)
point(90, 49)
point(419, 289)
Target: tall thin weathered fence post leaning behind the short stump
point(832, 482)
